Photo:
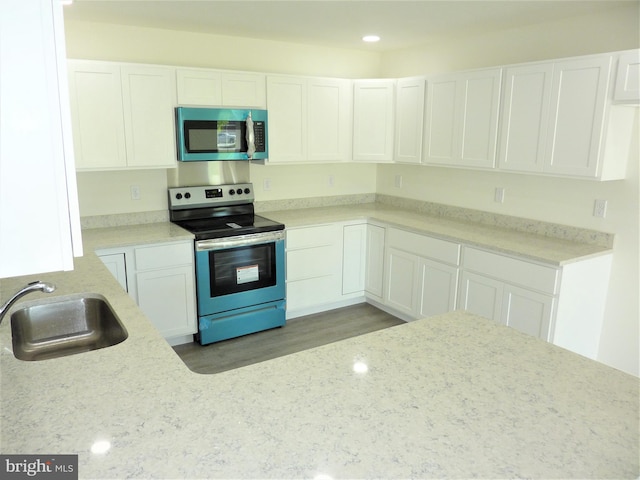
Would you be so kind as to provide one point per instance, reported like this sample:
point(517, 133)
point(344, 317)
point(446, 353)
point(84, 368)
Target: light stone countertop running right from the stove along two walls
point(537, 247)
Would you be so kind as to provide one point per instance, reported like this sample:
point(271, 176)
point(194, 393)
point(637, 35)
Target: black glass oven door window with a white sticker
point(241, 269)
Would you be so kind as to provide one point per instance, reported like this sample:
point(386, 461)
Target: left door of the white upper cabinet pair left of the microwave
point(96, 114)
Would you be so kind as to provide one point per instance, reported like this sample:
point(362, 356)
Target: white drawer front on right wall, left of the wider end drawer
point(424, 246)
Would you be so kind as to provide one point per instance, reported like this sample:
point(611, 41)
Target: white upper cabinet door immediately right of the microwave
point(286, 102)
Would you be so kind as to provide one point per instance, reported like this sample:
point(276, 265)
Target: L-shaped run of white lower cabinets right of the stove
point(413, 275)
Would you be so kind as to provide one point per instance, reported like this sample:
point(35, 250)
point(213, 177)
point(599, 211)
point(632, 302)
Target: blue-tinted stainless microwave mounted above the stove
point(211, 134)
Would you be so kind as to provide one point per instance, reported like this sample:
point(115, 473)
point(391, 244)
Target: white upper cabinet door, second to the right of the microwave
point(328, 120)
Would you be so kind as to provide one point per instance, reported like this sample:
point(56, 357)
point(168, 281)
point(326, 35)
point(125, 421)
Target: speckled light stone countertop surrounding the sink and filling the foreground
point(449, 396)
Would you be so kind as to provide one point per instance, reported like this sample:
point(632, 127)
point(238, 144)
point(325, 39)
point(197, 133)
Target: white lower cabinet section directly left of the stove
point(161, 280)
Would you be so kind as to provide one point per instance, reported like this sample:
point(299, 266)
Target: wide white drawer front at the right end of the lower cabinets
point(511, 270)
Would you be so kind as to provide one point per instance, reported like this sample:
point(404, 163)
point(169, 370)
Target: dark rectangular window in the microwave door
point(209, 136)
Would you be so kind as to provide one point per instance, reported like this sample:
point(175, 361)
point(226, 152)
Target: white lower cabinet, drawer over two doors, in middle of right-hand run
point(421, 274)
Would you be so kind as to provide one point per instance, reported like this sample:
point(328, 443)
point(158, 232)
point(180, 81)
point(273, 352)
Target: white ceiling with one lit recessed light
point(337, 23)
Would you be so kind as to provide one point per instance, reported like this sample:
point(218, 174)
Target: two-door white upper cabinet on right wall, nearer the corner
point(461, 120)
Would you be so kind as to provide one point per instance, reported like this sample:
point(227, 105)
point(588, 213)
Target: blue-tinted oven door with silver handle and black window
point(237, 272)
